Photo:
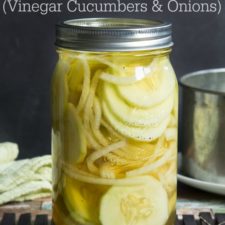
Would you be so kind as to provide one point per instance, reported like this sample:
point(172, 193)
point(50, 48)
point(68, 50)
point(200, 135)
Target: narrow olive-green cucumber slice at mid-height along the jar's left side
point(75, 146)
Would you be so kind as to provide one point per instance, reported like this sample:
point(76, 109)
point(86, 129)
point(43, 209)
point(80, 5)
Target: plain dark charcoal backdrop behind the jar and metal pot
point(27, 59)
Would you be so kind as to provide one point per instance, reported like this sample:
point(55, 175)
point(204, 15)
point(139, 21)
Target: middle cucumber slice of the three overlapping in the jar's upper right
point(136, 116)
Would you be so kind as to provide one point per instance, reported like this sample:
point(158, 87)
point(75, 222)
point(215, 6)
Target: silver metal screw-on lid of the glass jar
point(113, 34)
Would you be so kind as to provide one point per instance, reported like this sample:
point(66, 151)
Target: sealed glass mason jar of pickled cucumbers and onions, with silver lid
point(114, 123)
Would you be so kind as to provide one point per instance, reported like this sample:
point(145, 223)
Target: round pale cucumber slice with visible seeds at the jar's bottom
point(138, 205)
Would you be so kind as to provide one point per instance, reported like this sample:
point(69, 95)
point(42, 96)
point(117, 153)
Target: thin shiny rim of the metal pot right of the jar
point(181, 80)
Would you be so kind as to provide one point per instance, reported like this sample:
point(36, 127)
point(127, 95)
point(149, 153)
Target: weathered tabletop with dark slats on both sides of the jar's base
point(206, 214)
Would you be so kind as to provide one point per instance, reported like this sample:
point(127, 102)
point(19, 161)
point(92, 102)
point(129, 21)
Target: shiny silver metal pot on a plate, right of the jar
point(203, 125)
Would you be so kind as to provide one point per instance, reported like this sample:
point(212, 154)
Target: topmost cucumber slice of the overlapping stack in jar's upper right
point(153, 89)
